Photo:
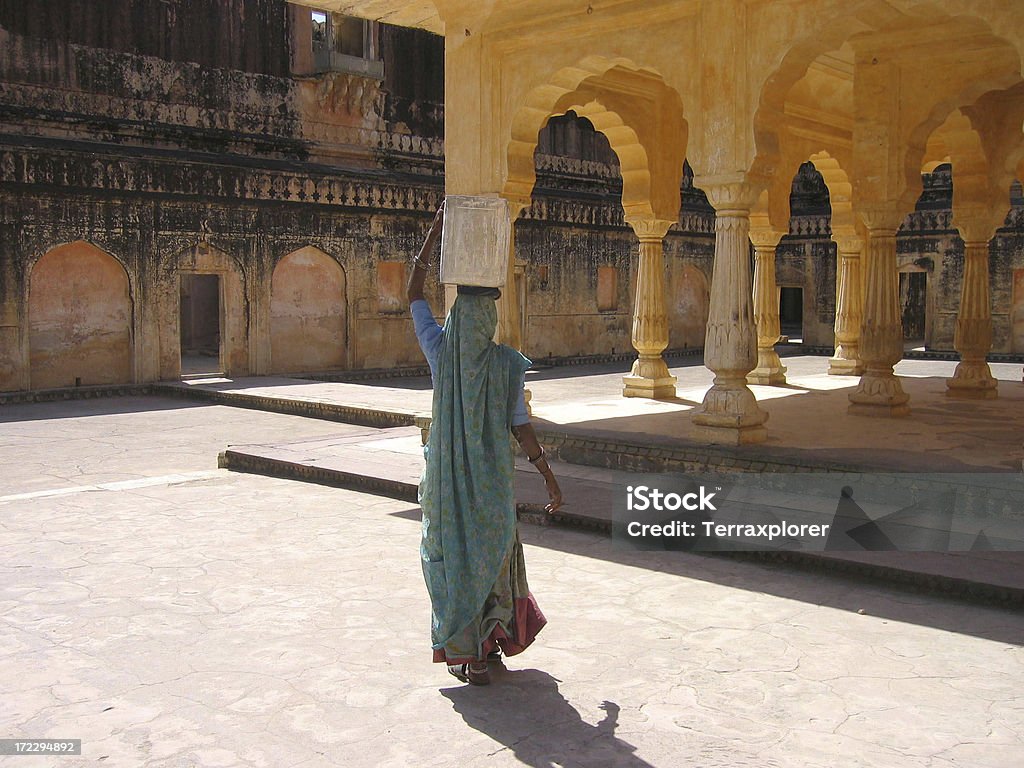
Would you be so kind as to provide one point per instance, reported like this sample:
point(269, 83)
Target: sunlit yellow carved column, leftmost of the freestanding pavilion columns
point(650, 376)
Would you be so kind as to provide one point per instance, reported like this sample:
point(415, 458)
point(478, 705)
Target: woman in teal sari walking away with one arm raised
point(473, 559)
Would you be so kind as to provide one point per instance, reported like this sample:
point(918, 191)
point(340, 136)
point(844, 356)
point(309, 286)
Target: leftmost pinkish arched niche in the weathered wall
point(80, 319)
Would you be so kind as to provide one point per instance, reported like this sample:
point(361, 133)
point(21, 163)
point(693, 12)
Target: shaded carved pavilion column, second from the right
point(880, 393)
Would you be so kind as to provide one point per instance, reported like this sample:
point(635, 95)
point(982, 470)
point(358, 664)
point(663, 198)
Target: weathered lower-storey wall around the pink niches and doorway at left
point(157, 241)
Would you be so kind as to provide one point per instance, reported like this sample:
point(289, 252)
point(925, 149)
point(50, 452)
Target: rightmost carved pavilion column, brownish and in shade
point(973, 337)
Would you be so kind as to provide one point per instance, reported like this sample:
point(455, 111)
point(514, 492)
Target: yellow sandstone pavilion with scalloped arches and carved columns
point(873, 93)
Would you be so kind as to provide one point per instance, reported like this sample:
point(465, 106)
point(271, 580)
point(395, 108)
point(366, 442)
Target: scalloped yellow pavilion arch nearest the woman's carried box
point(642, 117)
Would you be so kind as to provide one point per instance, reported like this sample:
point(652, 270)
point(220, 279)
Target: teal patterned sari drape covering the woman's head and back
point(467, 490)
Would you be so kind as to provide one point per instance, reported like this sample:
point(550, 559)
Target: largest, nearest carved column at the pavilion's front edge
point(730, 412)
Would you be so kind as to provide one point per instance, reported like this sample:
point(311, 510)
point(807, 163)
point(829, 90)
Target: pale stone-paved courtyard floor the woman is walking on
point(170, 614)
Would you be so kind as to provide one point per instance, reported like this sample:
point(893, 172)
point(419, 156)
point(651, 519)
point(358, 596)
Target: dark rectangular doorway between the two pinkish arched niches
point(201, 352)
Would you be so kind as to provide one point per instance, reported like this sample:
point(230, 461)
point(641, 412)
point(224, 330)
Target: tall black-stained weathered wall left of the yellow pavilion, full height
point(166, 165)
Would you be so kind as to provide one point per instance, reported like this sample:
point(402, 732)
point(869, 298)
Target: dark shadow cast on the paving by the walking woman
point(525, 711)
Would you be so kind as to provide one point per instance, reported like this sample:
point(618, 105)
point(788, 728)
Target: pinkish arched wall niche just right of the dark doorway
point(309, 314)
